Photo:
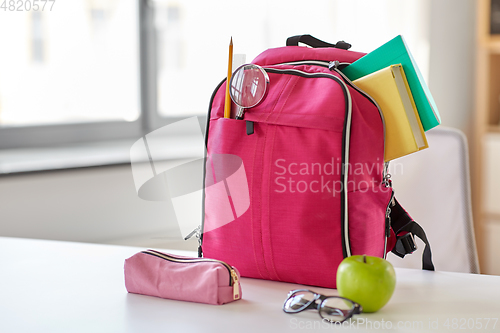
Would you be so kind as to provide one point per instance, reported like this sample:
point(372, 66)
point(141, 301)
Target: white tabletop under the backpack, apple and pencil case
point(50, 286)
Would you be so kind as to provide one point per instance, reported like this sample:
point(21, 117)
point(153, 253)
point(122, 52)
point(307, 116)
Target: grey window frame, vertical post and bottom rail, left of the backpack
point(37, 136)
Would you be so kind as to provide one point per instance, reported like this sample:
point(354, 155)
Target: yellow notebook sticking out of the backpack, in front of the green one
point(404, 133)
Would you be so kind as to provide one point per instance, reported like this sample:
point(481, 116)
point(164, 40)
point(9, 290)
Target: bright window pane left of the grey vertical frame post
point(69, 74)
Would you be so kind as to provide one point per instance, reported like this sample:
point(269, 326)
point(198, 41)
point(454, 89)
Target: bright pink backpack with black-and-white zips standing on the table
point(304, 212)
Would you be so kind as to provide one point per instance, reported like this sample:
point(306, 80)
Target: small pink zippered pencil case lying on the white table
point(180, 278)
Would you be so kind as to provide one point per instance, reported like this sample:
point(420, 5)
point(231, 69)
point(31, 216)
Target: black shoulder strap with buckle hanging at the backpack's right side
point(402, 222)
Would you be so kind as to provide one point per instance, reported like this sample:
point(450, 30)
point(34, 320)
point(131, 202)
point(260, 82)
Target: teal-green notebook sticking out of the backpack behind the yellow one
point(396, 52)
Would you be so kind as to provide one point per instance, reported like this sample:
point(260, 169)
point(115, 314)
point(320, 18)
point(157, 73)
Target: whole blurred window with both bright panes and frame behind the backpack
point(105, 69)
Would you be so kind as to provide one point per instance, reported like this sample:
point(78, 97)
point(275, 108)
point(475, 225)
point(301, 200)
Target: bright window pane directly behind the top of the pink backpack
point(192, 37)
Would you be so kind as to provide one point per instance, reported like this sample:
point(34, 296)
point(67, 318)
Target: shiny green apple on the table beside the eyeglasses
point(368, 281)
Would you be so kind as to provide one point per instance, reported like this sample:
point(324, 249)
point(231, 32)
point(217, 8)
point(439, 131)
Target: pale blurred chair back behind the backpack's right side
point(433, 185)
